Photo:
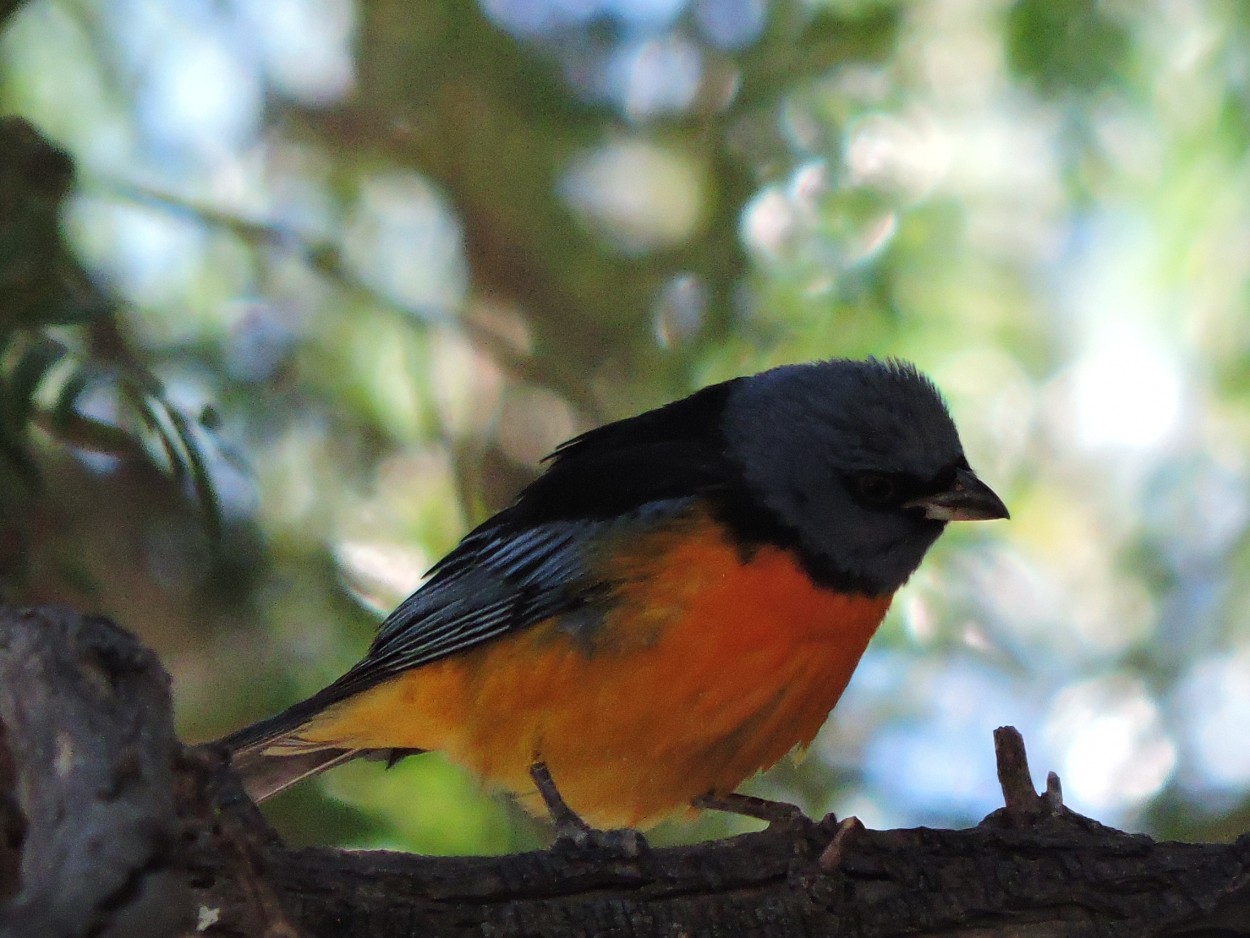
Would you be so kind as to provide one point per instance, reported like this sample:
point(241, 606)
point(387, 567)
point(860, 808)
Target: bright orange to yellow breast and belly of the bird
point(708, 668)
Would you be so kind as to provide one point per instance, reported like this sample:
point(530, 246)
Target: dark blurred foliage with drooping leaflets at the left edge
point(46, 383)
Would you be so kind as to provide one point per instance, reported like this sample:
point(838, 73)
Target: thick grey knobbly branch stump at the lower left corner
point(87, 724)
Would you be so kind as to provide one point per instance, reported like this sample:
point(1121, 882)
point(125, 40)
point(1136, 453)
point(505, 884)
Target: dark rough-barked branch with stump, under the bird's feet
point(111, 827)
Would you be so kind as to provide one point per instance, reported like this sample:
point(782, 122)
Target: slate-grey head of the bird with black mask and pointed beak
point(859, 461)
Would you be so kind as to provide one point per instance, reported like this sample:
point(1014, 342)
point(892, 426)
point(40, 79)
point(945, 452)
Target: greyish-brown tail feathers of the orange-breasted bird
point(272, 755)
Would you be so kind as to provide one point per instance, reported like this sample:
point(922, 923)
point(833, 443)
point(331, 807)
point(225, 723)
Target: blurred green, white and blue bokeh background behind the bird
point(317, 283)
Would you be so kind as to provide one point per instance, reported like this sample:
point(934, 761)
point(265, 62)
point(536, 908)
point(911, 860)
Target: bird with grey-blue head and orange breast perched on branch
point(677, 602)
